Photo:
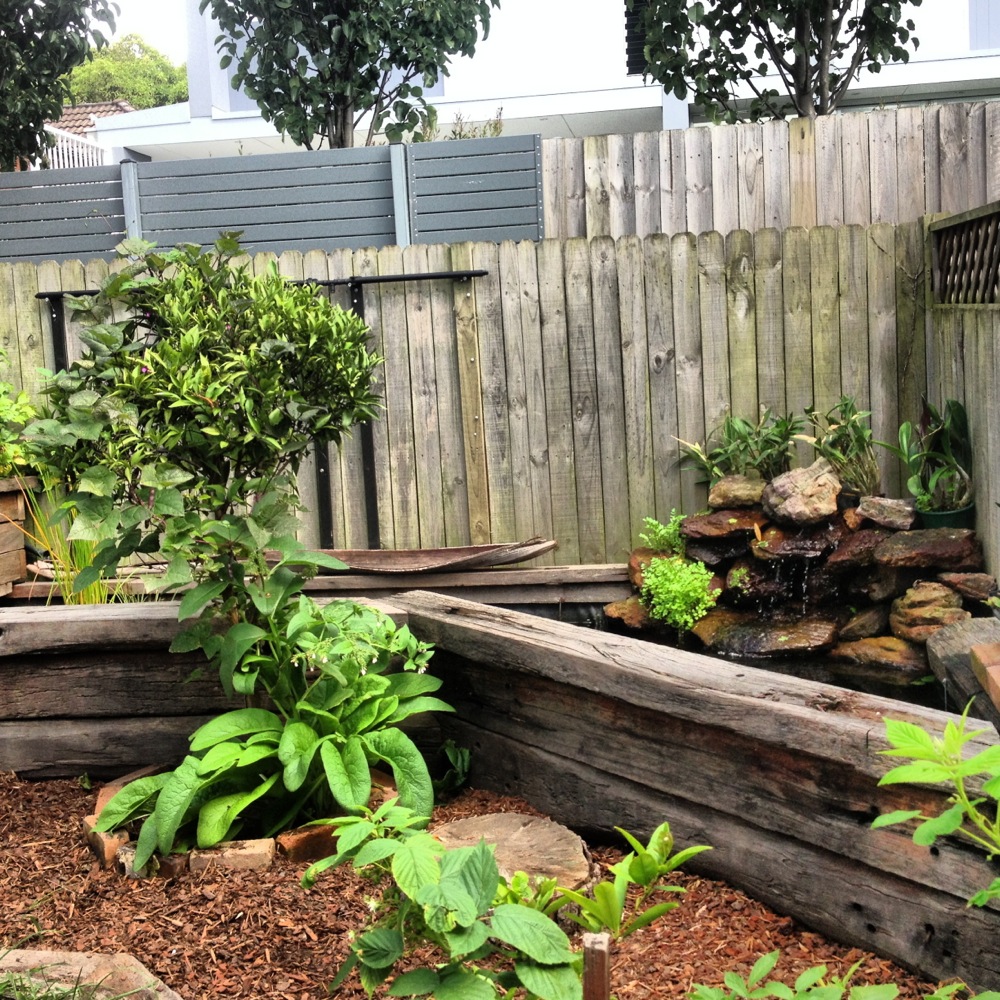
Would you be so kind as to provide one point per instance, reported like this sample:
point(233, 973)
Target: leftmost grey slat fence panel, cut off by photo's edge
point(60, 214)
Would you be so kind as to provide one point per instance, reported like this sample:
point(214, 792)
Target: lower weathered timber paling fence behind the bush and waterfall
point(548, 396)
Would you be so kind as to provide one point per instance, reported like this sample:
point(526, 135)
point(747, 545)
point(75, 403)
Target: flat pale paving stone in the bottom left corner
point(108, 975)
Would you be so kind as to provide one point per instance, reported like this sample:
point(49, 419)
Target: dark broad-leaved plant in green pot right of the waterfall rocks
point(937, 455)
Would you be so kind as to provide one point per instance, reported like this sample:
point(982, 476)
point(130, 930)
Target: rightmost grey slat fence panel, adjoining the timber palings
point(476, 189)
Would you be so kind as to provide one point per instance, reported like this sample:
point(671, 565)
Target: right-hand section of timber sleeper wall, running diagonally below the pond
point(779, 775)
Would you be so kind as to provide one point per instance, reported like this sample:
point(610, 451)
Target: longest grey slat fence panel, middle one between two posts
point(341, 198)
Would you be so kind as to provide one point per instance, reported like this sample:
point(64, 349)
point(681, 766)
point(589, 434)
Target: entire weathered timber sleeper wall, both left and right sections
point(779, 775)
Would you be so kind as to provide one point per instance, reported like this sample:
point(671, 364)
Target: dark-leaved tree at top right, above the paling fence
point(816, 47)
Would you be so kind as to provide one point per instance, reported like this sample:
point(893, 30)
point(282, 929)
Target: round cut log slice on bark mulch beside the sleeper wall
point(539, 847)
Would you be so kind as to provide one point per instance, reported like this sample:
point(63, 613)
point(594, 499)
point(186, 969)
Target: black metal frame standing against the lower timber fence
point(355, 291)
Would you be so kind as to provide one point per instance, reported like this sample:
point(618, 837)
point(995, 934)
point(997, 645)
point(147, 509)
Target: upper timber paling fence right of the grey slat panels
point(892, 165)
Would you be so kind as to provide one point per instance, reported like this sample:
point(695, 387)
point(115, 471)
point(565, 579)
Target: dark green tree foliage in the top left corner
point(40, 42)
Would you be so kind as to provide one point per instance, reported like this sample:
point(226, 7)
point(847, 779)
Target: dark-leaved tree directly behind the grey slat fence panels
point(316, 67)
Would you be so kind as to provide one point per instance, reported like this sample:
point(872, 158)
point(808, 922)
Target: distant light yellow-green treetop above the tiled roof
point(129, 70)
